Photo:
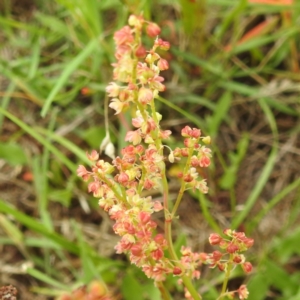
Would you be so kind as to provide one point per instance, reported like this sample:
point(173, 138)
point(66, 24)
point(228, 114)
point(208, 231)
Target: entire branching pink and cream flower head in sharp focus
point(141, 166)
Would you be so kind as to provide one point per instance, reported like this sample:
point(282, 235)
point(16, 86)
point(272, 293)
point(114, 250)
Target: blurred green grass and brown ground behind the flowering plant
point(234, 73)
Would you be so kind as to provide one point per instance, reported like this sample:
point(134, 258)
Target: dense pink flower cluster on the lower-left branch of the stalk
point(120, 197)
